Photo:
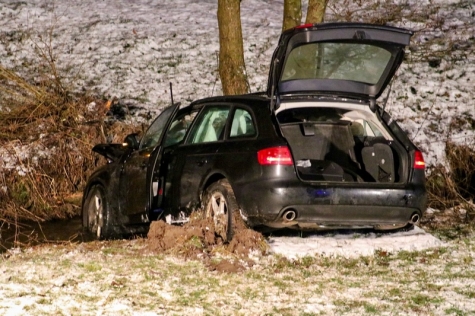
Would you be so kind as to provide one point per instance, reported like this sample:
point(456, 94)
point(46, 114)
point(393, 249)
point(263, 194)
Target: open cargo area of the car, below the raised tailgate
point(340, 145)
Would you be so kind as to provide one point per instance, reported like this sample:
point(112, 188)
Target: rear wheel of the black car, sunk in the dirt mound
point(220, 203)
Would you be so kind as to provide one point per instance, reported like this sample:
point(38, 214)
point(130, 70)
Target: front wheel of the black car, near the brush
point(96, 212)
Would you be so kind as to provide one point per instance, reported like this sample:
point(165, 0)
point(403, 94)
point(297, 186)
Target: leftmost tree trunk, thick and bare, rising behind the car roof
point(232, 69)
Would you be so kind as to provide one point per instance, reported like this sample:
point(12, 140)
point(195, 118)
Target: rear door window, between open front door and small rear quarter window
point(210, 125)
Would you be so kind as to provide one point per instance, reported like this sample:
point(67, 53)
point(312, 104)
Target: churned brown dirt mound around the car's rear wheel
point(197, 240)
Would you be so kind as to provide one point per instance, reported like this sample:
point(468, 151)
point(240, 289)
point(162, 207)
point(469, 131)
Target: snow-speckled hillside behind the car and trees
point(132, 50)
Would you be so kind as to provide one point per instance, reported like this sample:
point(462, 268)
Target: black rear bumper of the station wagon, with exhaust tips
point(325, 207)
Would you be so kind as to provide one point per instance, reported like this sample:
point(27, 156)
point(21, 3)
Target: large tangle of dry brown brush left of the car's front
point(48, 133)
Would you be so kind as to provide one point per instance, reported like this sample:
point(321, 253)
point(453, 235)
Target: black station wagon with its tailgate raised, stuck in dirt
point(314, 151)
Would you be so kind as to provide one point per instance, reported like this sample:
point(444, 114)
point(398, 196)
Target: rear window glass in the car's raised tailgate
point(345, 61)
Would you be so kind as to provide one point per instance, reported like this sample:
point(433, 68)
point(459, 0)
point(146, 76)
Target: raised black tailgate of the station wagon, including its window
point(344, 59)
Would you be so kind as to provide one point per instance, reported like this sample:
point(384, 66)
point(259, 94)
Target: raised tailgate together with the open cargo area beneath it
point(350, 62)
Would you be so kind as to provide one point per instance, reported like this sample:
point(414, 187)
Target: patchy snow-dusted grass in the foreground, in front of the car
point(123, 277)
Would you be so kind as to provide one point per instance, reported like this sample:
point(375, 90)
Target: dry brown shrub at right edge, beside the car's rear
point(455, 185)
